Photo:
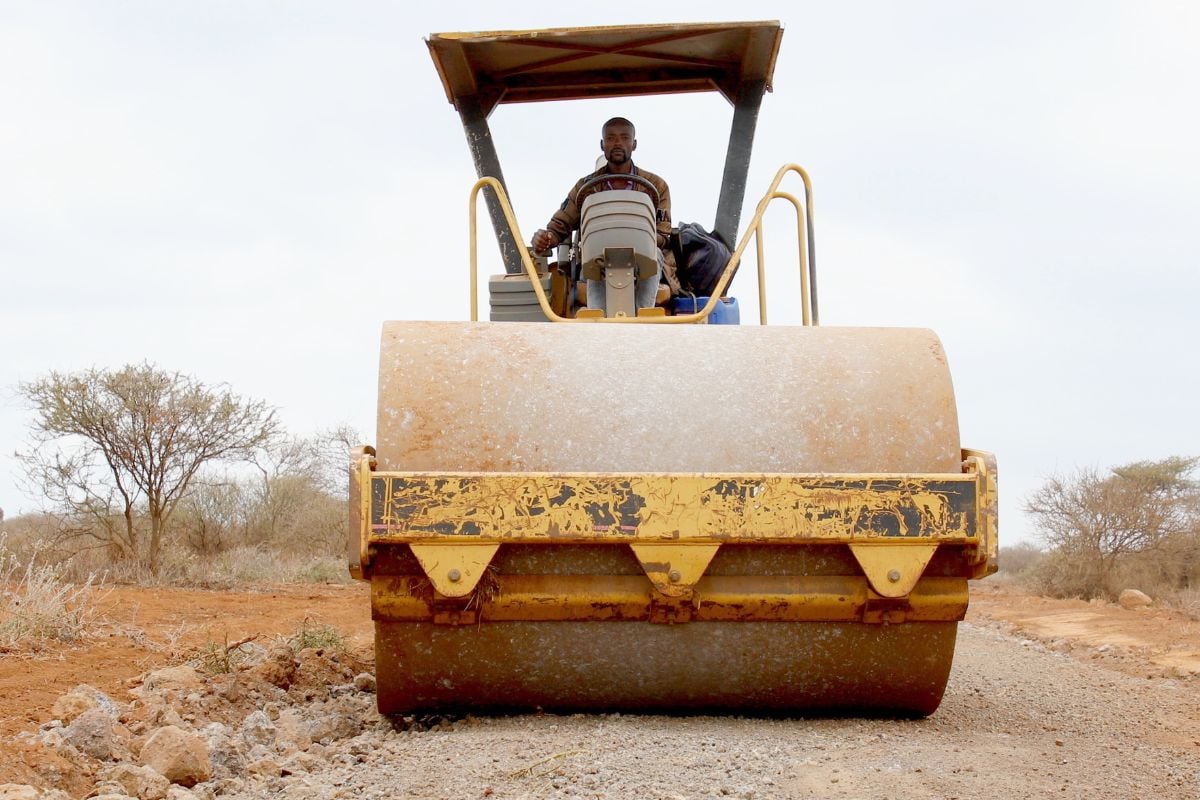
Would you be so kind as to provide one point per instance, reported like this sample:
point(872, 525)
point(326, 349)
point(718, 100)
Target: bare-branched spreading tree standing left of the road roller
point(123, 447)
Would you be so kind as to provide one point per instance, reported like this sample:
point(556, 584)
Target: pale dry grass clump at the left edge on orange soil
point(38, 605)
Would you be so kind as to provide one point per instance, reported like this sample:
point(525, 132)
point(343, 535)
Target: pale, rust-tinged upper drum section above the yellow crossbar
point(688, 399)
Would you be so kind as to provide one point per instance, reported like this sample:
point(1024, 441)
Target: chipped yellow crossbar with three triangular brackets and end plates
point(675, 524)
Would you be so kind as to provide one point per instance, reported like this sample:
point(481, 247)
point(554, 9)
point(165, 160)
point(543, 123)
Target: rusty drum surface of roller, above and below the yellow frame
point(664, 399)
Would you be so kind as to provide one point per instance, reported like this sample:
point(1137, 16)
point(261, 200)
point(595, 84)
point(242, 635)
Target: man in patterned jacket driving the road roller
point(619, 142)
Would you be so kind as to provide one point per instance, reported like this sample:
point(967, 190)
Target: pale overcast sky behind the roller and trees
point(245, 191)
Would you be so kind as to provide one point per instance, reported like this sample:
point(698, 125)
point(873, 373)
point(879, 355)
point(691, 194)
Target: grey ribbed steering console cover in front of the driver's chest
point(619, 219)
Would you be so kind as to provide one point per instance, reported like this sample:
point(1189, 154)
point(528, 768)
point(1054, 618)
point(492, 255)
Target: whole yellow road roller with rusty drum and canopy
point(651, 513)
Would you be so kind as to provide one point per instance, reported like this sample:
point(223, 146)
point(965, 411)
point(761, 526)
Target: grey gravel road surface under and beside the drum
point(1019, 720)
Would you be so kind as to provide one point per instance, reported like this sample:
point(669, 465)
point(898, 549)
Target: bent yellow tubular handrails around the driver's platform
point(753, 230)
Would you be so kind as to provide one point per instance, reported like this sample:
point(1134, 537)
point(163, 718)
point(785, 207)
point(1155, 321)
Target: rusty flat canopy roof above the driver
point(580, 63)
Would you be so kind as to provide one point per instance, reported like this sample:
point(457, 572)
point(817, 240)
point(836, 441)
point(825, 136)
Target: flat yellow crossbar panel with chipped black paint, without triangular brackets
point(671, 508)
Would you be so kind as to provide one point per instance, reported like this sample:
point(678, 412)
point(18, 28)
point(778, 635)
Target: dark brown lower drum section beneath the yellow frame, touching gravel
point(765, 669)
